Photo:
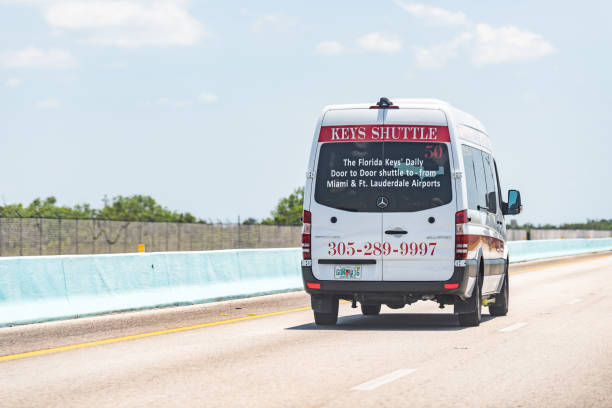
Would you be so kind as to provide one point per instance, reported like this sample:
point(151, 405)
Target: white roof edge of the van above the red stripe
point(458, 115)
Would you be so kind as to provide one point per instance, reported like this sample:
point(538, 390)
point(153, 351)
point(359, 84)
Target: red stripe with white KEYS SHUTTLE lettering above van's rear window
point(380, 133)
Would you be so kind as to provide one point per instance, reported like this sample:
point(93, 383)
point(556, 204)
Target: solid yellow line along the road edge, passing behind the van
point(217, 323)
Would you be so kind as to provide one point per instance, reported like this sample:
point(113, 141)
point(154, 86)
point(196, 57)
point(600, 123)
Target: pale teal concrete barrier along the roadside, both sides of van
point(36, 289)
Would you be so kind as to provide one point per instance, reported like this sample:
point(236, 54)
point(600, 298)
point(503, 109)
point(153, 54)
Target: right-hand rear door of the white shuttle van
point(419, 221)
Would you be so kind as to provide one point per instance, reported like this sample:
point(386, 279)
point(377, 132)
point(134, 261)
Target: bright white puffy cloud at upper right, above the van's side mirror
point(506, 44)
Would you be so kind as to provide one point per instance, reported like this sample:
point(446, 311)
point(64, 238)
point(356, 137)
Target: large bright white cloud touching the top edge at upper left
point(127, 23)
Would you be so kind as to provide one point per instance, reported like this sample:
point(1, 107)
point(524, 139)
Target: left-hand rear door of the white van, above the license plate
point(346, 223)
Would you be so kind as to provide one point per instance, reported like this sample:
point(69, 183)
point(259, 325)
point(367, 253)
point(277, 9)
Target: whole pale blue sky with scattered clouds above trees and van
point(210, 106)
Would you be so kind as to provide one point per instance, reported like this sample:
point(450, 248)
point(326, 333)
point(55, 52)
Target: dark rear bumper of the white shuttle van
point(411, 289)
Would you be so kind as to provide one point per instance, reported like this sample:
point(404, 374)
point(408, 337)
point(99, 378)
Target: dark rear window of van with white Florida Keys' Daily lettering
point(413, 176)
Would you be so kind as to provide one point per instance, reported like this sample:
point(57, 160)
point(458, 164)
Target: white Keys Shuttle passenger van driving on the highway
point(402, 203)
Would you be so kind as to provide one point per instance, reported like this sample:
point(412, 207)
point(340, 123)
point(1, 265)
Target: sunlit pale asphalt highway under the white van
point(554, 349)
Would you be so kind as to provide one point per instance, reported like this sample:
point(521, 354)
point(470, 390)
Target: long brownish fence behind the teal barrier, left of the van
point(44, 236)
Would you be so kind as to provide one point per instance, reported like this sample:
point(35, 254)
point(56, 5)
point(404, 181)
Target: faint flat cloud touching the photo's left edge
point(37, 58)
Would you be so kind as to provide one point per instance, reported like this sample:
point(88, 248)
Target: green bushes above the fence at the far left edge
point(133, 208)
